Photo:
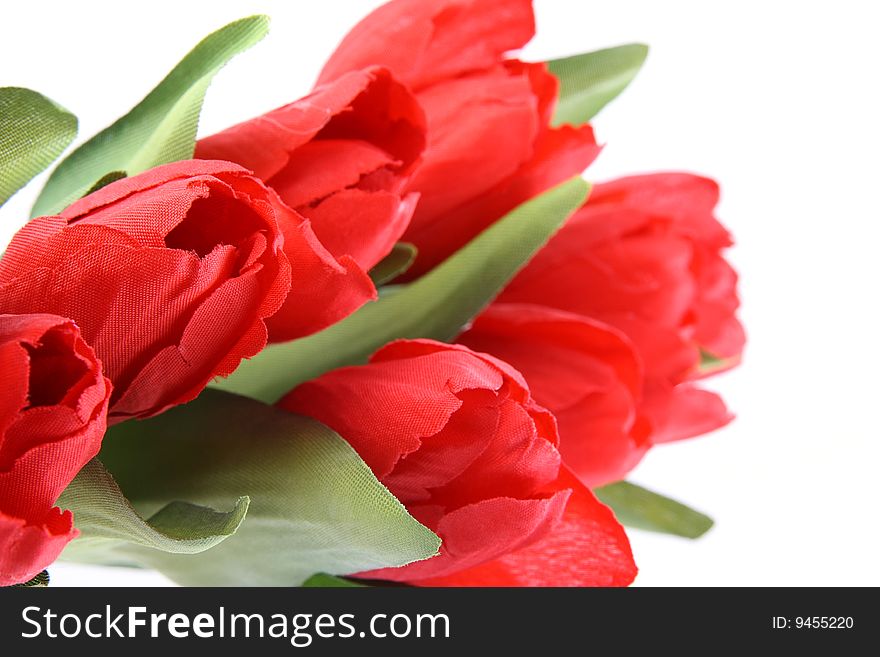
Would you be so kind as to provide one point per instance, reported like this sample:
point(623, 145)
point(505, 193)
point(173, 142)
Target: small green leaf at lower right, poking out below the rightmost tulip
point(638, 507)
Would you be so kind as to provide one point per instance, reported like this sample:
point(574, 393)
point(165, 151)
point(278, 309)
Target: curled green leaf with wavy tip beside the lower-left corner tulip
point(109, 526)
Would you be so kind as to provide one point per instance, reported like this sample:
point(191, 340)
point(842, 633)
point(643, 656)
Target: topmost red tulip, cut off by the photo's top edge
point(490, 147)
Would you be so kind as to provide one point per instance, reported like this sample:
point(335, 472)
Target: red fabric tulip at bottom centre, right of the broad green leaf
point(456, 436)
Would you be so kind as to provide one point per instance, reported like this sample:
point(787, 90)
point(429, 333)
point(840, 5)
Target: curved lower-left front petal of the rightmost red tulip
point(585, 372)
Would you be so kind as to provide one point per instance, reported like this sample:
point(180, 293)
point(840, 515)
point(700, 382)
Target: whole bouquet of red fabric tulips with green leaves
point(386, 332)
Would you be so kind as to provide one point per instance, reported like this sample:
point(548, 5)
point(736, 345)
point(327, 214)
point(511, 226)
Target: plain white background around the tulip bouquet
point(776, 100)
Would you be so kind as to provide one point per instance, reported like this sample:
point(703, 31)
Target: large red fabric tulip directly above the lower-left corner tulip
point(169, 275)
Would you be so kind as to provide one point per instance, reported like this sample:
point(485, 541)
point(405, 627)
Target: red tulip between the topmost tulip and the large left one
point(340, 157)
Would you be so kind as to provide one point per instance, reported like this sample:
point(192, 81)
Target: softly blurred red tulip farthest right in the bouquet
point(644, 259)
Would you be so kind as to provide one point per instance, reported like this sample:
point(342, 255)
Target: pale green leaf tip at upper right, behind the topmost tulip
point(590, 81)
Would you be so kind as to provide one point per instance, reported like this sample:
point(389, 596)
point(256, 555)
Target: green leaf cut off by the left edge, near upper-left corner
point(33, 132)
